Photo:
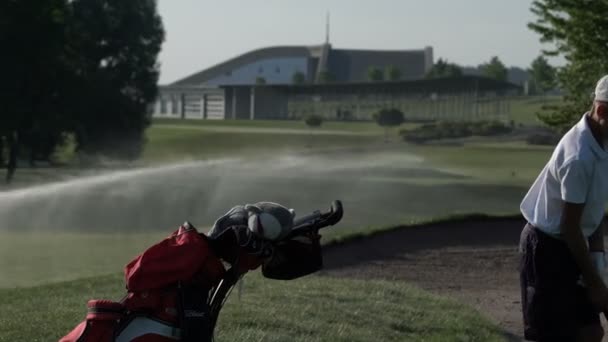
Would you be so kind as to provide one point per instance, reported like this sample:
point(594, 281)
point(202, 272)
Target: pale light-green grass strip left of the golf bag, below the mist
point(28, 259)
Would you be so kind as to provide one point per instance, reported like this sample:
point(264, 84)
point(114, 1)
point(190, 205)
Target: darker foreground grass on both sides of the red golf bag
point(310, 309)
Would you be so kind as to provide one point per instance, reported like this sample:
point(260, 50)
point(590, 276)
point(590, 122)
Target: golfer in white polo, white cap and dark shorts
point(562, 246)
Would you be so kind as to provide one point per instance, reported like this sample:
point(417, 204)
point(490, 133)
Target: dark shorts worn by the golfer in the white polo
point(555, 306)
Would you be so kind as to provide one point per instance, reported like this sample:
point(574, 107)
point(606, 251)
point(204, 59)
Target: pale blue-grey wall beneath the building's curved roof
point(273, 70)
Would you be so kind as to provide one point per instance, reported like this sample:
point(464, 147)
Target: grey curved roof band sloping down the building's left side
point(249, 57)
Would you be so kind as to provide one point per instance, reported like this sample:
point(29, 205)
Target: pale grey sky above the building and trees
point(202, 33)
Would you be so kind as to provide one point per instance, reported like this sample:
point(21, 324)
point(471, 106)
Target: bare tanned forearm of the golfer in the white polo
point(574, 238)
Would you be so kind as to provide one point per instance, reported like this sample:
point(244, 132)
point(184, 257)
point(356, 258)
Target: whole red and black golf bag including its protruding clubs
point(176, 288)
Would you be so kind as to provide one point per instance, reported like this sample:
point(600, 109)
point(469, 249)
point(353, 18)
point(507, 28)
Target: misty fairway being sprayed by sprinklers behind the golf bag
point(381, 185)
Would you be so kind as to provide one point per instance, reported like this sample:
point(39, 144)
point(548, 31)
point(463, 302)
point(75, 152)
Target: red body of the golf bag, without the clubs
point(167, 294)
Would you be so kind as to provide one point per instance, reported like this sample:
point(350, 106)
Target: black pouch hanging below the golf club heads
point(294, 258)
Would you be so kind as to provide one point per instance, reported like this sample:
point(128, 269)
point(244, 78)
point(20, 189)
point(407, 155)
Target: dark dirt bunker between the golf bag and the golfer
point(472, 261)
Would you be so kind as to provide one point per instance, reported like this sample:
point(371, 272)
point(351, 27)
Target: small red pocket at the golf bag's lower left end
point(101, 322)
